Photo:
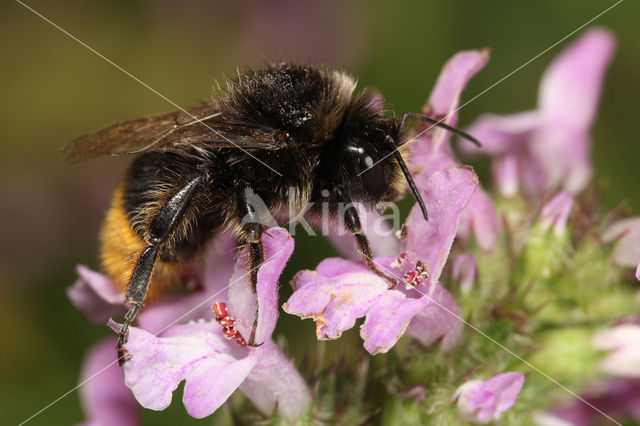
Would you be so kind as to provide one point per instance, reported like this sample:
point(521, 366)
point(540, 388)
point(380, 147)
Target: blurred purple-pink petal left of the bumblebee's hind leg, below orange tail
point(96, 296)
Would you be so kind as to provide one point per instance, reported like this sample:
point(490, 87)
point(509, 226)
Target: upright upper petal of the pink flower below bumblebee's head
point(445, 195)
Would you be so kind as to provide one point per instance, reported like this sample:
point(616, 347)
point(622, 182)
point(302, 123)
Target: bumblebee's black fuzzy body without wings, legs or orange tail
point(311, 110)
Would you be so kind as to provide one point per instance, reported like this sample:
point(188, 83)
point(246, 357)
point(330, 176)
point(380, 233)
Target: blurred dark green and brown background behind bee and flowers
point(53, 90)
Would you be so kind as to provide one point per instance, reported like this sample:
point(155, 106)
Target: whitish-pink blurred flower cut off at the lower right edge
point(624, 343)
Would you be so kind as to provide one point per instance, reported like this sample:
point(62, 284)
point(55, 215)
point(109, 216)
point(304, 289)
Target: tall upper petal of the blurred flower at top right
point(570, 88)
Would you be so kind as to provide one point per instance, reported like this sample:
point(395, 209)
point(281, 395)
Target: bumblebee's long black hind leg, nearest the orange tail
point(159, 230)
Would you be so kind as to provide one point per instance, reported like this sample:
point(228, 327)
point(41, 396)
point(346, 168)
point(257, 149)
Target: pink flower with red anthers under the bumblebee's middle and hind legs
point(214, 360)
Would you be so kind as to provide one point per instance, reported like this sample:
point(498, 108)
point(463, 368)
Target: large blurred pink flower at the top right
point(550, 147)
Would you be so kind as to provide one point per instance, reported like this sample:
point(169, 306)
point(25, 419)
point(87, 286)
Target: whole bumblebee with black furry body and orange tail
point(273, 129)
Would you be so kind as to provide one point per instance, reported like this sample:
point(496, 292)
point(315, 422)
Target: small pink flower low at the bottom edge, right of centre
point(481, 402)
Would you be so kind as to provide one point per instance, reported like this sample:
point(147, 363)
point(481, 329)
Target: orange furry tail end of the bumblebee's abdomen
point(121, 247)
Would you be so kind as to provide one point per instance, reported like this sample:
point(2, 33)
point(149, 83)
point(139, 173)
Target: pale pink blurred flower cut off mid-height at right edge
point(627, 249)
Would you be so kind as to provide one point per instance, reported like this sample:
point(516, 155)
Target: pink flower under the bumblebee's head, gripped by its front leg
point(340, 291)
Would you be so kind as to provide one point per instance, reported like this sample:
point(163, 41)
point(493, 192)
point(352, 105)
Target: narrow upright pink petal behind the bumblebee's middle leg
point(278, 246)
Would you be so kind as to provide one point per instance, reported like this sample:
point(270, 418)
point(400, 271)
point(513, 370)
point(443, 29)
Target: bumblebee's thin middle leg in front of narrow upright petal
point(252, 229)
